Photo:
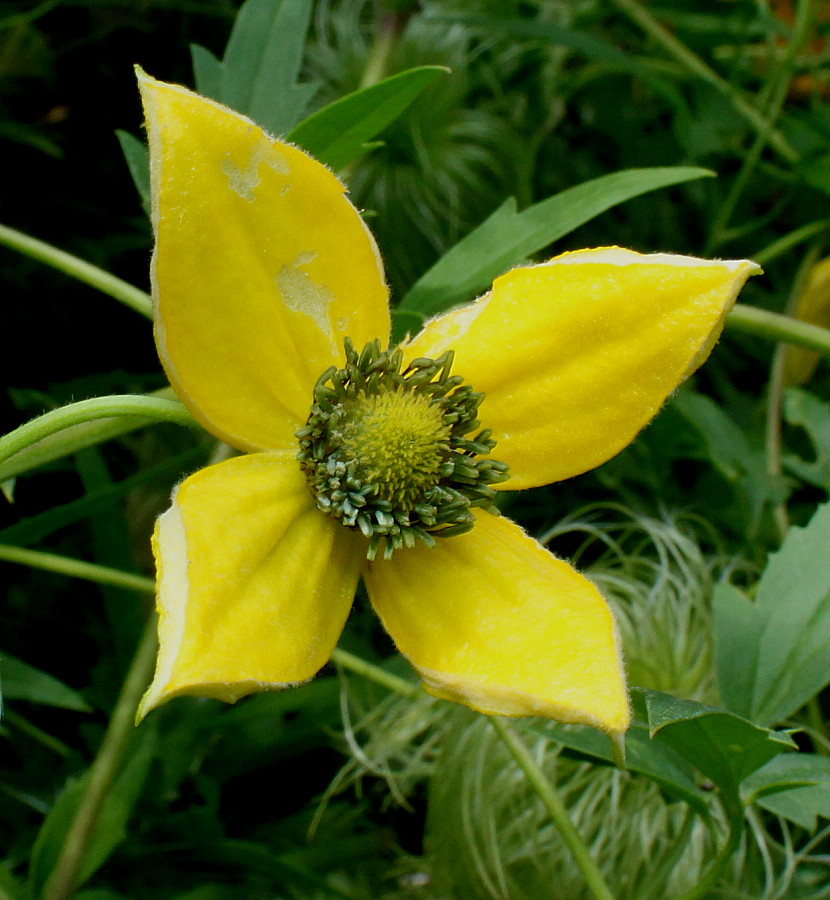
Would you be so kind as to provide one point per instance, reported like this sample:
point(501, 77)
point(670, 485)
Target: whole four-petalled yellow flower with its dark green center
point(262, 271)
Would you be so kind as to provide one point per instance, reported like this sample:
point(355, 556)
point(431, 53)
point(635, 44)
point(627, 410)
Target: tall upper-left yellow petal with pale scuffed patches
point(261, 267)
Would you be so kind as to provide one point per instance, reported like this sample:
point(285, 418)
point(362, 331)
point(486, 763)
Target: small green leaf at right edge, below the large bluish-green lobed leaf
point(795, 786)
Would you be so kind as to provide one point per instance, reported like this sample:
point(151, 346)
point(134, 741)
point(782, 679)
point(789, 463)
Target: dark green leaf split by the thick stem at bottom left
point(109, 827)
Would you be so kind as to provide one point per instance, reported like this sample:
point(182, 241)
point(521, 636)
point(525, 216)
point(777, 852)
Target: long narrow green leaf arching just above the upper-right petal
point(508, 237)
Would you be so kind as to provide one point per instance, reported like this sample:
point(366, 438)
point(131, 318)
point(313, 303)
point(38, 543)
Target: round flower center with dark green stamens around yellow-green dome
point(387, 451)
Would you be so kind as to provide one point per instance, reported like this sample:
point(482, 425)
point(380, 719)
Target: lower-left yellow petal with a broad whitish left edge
point(254, 583)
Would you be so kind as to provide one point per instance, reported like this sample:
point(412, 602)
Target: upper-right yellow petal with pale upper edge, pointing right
point(576, 355)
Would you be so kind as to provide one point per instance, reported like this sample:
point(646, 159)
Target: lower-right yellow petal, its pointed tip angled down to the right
point(492, 620)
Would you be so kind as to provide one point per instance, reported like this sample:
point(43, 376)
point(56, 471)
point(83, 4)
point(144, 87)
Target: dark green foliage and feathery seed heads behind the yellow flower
point(356, 785)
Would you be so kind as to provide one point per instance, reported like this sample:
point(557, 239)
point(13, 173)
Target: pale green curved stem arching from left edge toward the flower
point(157, 409)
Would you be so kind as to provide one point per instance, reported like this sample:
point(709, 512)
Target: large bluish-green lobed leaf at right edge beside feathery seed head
point(789, 623)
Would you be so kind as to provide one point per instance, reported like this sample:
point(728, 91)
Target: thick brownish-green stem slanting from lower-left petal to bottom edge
point(63, 880)
